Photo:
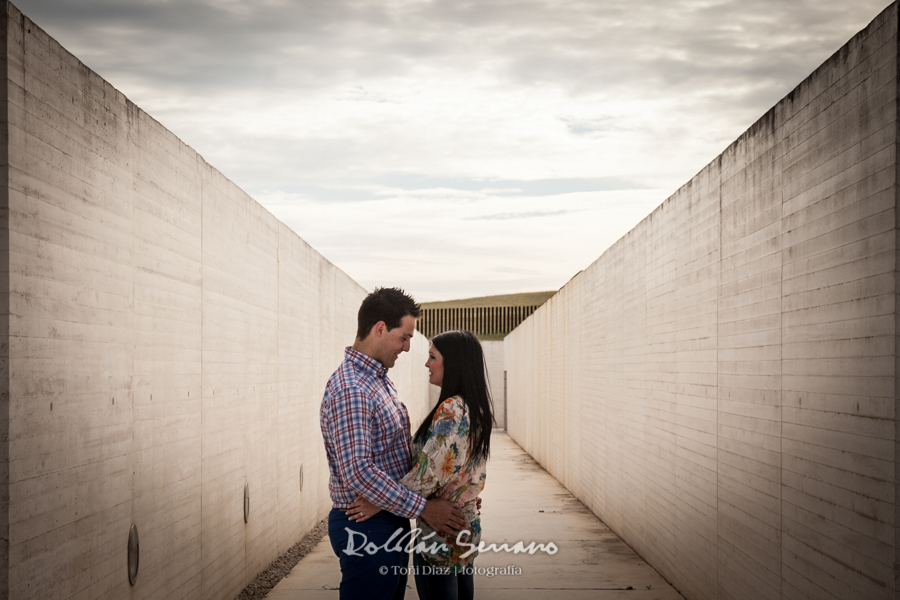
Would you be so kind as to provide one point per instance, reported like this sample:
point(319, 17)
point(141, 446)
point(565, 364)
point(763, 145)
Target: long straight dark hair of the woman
point(465, 375)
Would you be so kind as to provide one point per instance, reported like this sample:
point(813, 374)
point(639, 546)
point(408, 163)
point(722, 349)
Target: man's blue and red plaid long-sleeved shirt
point(367, 439)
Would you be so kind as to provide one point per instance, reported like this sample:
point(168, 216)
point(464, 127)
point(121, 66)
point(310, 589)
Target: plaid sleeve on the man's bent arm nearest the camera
point(351, 428)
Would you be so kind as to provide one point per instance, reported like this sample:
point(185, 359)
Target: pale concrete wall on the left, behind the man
point(169, 341)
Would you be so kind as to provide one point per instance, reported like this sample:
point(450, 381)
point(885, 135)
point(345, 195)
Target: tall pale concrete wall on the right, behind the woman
point(720, 386)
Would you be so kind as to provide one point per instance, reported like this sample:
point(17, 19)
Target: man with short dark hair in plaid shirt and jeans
point(367, 440)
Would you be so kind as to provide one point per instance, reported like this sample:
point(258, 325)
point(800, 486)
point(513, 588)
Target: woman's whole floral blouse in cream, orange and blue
point(442, 468)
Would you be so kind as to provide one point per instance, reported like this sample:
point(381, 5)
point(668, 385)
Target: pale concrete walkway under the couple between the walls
point(522, 502)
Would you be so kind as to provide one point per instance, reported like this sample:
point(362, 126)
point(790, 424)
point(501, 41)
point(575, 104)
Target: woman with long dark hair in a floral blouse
point(450, 451)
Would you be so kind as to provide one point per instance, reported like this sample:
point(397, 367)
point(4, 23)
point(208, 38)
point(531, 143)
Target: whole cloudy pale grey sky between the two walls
point(456, 148)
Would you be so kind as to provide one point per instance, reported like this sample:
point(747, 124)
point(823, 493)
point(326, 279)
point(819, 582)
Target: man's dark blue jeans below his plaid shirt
point(380, 576)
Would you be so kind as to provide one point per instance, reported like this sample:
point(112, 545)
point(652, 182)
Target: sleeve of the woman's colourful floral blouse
point(444, 454)
